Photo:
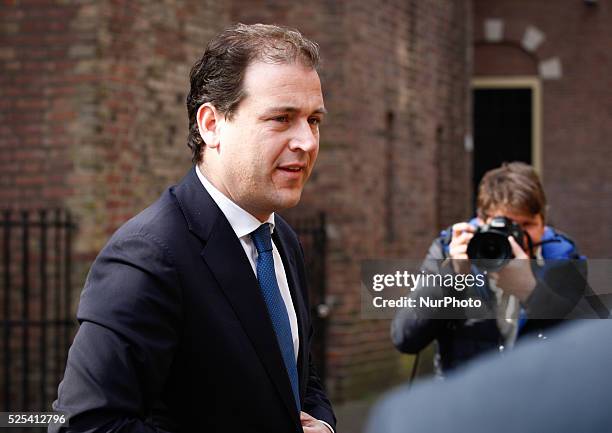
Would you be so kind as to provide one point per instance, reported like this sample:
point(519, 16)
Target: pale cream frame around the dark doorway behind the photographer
point(530, 82)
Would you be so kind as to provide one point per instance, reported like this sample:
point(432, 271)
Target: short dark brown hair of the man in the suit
point(218, 76)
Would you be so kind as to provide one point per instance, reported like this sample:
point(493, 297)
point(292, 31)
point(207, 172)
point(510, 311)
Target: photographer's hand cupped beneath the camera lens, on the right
point(516, 278)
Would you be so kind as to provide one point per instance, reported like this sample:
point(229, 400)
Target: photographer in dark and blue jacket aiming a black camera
point(545, 281)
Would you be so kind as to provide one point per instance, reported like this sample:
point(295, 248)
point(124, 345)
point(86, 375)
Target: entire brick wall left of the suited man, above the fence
point(94, 115)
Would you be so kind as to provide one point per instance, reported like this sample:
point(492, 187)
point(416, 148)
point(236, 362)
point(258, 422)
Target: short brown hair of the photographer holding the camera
point(514, 187)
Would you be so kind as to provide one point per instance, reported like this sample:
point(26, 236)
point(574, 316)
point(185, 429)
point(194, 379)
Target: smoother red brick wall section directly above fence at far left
point(39, 52)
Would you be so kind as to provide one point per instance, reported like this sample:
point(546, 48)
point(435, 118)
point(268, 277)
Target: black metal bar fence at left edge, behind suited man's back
point(36, 321)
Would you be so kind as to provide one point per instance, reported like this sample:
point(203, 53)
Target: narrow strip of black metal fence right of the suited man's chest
point(312, 233)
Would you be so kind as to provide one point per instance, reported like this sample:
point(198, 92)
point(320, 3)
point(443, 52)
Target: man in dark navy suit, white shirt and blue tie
point(194, 316)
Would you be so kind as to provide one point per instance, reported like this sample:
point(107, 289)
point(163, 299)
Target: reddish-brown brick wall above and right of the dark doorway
point(576, 107)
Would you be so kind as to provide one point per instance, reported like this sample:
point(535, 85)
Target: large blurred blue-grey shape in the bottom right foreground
point(561, 386)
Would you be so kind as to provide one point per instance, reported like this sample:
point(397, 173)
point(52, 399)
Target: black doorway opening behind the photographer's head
point(502, 129)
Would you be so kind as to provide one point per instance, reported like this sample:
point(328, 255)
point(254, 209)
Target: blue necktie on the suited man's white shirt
point(274, 301)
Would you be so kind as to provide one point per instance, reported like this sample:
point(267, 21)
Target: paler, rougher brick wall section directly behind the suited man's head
point(134, 145)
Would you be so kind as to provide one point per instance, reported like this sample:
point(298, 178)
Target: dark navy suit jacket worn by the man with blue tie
point(175, 335)
